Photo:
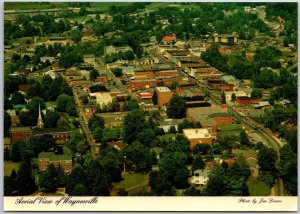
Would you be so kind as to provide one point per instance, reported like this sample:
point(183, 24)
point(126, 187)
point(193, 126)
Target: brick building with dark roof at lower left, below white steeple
point(58, 157)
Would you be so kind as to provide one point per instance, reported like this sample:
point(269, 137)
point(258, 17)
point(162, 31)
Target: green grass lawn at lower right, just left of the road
point(258, 188)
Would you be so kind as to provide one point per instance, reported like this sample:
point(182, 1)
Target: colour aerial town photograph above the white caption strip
point(150, 99)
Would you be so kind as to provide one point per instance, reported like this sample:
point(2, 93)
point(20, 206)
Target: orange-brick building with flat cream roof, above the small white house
point(198, 136)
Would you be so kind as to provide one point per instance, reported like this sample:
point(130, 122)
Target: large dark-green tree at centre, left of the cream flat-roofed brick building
point(133, 122)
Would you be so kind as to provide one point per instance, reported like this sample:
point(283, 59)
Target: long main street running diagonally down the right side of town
point(258, 128)
